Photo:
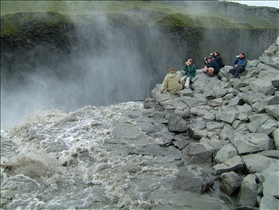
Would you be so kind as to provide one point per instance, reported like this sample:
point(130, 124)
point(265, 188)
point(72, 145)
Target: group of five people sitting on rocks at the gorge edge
point(213, 63)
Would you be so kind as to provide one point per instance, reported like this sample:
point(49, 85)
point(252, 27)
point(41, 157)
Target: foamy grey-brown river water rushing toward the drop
point(82, 160)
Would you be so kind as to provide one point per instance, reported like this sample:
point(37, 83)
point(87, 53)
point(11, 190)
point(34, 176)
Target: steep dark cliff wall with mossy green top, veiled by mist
point(68, 60)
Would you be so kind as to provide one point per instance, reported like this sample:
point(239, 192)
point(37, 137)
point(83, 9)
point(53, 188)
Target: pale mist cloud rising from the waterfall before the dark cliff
point(105, 65)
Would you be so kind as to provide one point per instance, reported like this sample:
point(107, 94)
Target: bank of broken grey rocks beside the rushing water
point(226, 130)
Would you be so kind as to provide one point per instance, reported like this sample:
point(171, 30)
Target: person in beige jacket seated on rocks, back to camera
point(171, 82)
